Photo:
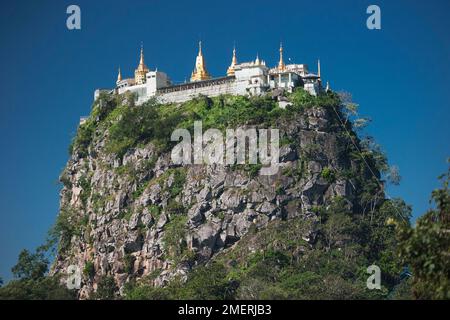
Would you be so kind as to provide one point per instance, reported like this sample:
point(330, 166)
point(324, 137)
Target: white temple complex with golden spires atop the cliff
point(248, 78)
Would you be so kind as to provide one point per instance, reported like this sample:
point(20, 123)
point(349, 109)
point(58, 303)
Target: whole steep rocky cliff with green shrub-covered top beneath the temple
point(129, 213)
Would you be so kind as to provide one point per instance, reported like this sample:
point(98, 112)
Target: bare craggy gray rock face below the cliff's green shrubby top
point(139, 214)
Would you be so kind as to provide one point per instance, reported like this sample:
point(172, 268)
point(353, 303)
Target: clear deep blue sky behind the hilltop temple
point(399, 75)
